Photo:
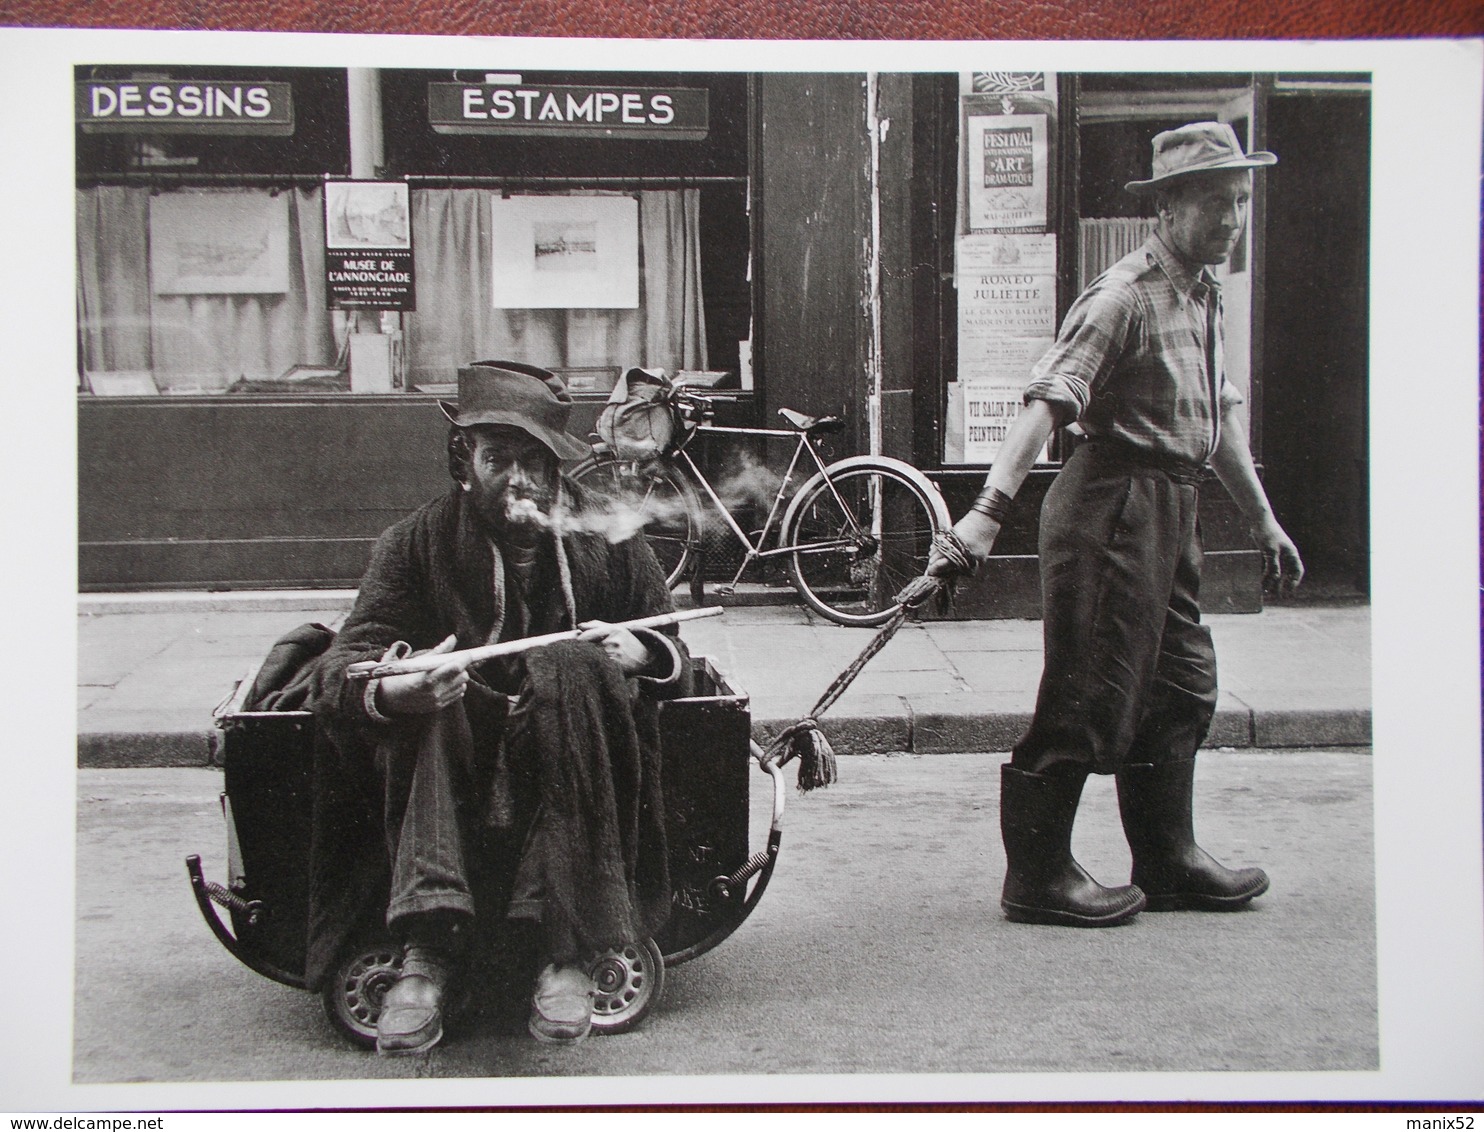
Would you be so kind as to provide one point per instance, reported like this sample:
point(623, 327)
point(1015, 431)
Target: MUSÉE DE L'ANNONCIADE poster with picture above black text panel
point(369, 247)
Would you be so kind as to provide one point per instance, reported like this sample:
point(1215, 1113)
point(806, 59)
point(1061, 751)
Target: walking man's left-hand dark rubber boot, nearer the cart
point(1044, 885)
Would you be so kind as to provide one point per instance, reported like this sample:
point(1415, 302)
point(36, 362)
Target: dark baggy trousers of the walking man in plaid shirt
point(1130, 671)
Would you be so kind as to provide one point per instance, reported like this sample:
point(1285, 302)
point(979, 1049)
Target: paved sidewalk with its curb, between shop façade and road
point(152, 667)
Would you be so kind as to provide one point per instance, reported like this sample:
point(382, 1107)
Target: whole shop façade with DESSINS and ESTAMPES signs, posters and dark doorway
point(281, 272)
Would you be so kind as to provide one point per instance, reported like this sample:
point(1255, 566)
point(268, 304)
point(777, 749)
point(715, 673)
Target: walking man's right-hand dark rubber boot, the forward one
point(1175, 873)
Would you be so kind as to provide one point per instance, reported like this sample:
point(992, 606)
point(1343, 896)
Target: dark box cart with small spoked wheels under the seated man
point(716, 882)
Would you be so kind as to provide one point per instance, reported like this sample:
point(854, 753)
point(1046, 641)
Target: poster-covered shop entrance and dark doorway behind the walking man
point(1037, 165)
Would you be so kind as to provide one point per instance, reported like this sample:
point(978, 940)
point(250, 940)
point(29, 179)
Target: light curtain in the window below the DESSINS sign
point(195, 342)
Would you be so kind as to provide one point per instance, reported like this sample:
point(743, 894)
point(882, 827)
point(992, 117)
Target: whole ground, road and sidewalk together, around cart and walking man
point(879, 947)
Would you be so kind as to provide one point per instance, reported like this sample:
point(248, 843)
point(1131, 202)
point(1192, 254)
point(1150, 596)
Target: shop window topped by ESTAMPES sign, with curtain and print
point(642, 238)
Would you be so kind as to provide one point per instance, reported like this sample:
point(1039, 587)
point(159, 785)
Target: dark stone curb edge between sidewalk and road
point(906, 732)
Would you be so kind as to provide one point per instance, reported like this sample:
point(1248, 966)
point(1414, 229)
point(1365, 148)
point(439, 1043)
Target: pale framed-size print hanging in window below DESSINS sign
point(223, 243)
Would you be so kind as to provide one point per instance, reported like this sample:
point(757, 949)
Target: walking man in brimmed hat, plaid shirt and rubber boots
point(1130, 674)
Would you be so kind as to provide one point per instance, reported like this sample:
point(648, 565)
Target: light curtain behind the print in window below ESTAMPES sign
point(456, 321)
